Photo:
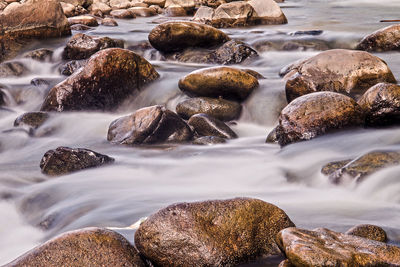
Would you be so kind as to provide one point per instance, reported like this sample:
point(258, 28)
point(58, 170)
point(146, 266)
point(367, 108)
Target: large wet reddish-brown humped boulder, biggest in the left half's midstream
point(108, 78)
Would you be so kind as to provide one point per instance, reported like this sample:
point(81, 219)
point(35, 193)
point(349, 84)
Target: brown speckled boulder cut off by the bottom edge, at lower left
point(84, 247)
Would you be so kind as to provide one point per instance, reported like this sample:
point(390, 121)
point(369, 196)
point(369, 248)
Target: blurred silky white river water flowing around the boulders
point(34, 207)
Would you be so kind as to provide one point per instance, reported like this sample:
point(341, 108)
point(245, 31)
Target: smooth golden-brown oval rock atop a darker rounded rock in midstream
point(230, 83)
